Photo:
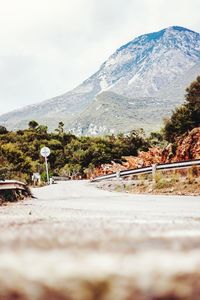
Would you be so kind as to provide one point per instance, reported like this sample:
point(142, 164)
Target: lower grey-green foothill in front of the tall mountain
point(112, 113)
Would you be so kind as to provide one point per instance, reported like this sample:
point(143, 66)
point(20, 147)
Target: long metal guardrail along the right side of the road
point(148, 170)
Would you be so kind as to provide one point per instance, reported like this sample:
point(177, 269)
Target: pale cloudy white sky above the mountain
point(48, 47)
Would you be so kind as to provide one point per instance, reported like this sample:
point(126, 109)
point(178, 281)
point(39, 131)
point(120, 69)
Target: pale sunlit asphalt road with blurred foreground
point(77, 242)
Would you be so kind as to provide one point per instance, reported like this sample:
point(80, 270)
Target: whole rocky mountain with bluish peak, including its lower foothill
point(137, 86)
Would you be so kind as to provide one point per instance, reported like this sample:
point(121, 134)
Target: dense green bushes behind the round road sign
point(70, 155)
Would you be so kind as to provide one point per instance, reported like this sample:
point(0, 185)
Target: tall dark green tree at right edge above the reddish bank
point(186, 116)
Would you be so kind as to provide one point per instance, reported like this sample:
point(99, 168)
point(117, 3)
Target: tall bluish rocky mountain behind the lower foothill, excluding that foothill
point(143, 67)
